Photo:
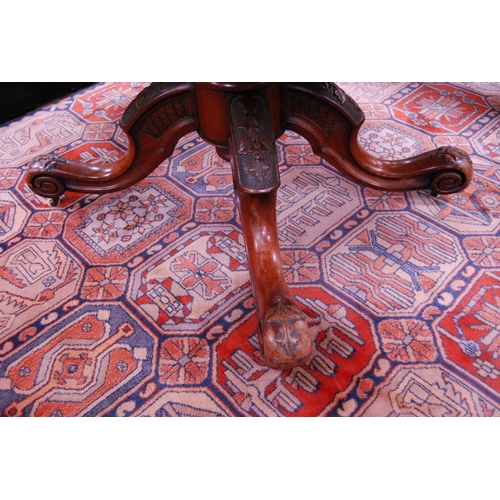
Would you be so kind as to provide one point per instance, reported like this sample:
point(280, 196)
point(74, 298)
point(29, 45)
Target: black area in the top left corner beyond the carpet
point(18, 99)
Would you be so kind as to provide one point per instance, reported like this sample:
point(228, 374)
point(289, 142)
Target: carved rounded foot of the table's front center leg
point(284, 335)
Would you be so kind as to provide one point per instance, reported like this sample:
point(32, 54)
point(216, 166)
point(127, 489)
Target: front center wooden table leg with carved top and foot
point(284, 335)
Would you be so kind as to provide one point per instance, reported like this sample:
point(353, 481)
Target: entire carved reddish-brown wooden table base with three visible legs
point(243, 121)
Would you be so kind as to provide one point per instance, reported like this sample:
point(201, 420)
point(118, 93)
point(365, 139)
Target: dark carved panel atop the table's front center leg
point(254, 144)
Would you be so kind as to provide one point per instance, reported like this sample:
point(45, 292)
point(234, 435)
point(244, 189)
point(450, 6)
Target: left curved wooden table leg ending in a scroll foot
point(153, 123)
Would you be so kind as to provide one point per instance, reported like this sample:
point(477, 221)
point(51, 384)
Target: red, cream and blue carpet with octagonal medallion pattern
point(138, 303)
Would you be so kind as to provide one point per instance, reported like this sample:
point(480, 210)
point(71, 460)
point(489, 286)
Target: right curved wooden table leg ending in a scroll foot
point(330, 120)
